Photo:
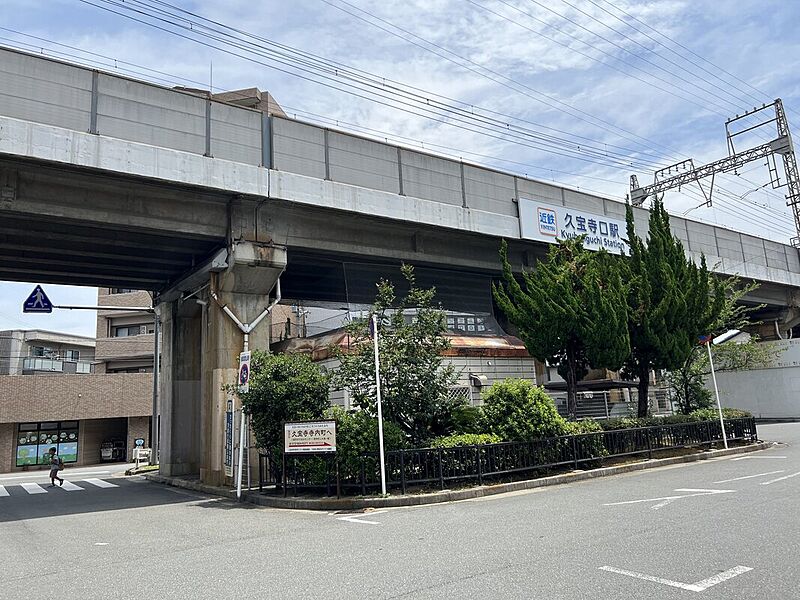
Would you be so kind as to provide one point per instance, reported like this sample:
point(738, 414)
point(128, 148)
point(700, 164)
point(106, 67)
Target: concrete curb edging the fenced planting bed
point(446, 495)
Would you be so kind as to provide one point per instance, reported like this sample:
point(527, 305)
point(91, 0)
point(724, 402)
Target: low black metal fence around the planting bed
point(438, 467)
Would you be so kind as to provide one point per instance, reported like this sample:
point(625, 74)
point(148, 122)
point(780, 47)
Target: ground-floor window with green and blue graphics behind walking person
point(34, 441)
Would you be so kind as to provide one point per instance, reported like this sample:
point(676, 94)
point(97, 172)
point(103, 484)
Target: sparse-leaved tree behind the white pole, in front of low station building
point(414, 377)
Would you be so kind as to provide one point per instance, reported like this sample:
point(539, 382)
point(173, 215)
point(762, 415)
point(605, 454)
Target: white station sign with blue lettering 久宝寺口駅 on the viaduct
point(550, 223)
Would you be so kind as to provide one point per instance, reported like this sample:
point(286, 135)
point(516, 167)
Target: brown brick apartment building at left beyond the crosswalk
point(76, 393)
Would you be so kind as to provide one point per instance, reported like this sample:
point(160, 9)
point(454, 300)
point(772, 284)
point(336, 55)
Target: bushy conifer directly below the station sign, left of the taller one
point(571, 312)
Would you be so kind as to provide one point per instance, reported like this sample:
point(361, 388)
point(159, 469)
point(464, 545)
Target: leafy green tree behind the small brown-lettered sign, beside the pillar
point(283, 387)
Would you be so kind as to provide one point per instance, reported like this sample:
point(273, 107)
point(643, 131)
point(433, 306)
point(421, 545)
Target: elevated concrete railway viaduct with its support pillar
point(113, 182)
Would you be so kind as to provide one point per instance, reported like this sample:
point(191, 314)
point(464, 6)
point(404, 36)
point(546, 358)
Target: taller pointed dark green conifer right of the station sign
point(671, 301)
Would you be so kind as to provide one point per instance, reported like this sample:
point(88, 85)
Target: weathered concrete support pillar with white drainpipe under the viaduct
point(201, 343)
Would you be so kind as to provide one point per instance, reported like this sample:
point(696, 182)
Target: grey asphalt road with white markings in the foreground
point(723, 529)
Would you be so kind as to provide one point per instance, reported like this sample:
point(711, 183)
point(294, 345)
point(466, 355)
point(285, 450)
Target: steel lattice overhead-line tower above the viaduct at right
point(684, 172)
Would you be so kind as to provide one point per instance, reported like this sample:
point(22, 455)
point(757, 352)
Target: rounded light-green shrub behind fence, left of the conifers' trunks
point(518, 411)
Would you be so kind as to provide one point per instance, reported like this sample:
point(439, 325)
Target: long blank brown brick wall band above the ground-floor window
point(65, 397)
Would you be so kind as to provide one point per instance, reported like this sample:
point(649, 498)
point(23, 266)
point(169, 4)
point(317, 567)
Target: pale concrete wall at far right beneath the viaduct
point(770, 393)
